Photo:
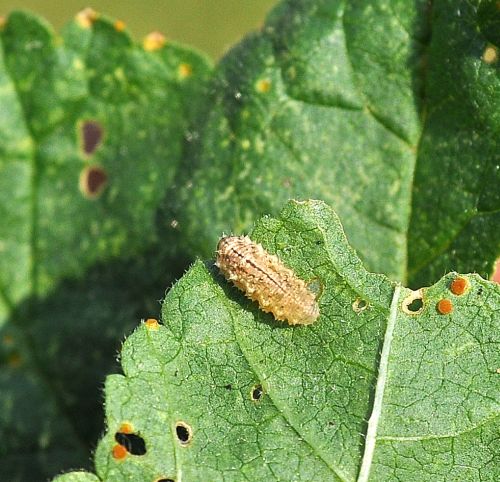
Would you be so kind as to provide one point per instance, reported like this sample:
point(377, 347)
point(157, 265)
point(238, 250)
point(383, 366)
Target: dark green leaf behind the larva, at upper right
point(388, 111)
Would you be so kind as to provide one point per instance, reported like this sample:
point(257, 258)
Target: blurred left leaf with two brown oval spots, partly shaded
point(92, 128)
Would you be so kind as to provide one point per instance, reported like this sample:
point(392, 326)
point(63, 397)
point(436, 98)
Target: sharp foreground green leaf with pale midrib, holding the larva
point(221, 391)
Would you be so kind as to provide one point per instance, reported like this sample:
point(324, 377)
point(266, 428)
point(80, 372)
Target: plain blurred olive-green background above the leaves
point(210, 25)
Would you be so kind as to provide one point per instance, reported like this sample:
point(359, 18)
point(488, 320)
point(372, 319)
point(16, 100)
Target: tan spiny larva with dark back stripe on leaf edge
point(264, 278)
